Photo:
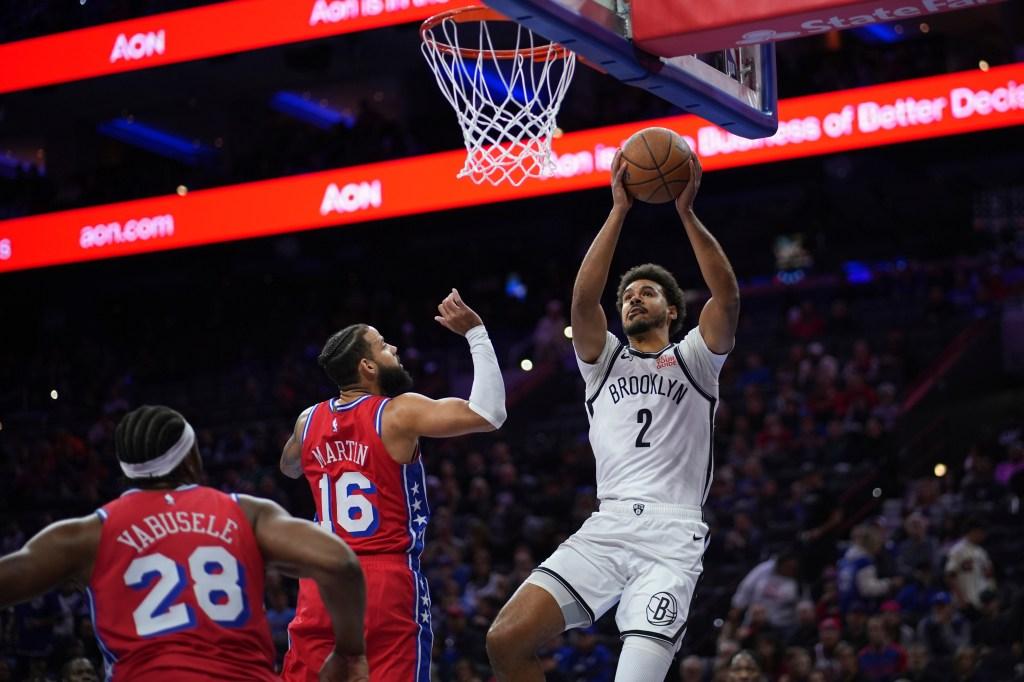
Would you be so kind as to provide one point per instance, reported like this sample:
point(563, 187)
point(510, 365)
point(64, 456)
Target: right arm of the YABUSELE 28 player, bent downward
point(302, 549)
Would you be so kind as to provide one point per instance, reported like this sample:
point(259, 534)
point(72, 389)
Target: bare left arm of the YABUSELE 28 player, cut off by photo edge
point(61, 553)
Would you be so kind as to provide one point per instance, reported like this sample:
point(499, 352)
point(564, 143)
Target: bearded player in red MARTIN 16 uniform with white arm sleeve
point(361, 454)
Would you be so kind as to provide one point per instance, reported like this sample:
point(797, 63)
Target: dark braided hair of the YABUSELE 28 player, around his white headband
point(146, 434)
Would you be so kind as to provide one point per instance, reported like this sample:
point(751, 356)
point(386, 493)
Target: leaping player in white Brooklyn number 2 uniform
point(652, 408)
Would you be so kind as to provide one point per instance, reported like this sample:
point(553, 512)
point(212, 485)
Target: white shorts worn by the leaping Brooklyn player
point(647, 558)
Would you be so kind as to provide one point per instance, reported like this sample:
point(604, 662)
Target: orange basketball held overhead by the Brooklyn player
point(657, 165)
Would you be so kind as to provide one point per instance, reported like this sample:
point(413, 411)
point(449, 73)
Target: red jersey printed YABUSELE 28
point(178, 589)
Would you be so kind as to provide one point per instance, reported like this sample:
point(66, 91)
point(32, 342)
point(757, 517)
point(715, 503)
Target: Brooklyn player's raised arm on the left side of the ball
point(589, 324)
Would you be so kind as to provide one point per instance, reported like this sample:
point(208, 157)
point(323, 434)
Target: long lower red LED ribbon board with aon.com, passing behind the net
point(828, 123)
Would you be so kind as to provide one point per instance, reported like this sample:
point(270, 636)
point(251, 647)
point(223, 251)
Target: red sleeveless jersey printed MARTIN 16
point(375, 504)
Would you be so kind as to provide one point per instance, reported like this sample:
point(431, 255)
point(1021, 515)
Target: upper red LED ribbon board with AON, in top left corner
point(196, 34)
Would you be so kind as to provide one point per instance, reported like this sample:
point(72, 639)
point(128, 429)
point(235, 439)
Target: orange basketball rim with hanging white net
point(506, 100)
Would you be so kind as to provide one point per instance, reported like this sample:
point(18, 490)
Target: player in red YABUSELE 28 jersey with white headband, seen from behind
point(175, 571)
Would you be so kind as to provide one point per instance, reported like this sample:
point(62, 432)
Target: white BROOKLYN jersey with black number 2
point(652, 417)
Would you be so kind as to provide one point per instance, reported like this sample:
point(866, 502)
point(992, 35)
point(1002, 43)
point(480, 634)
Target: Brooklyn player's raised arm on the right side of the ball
point(721, 313)
